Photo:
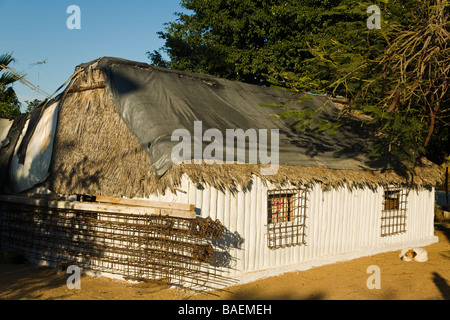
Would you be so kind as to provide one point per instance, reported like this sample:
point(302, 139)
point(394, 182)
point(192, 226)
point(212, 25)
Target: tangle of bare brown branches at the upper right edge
point(418, 67)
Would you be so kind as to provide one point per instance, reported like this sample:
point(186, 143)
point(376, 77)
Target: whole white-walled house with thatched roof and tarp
point(92, 171)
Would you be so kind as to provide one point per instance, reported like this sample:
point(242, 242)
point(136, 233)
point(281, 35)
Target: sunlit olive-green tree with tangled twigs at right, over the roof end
point(403, 88)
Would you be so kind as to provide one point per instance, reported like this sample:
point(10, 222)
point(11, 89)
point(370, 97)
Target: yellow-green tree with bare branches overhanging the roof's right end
point(397, 76)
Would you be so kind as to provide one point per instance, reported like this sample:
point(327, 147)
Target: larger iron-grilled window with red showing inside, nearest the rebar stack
point(286, 215)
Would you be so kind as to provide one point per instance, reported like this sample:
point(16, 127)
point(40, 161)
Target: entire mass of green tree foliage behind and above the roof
point(397, 76)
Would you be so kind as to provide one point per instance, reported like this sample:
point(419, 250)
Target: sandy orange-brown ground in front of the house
point(339, 281)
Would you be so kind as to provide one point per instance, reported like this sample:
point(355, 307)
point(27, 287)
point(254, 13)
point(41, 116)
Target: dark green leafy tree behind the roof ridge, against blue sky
point(243, 39)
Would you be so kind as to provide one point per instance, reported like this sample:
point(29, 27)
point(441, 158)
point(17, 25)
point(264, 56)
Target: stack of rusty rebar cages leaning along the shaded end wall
point(135, 246)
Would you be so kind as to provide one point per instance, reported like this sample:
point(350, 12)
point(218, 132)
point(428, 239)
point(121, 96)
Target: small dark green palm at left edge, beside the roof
point(9, 103)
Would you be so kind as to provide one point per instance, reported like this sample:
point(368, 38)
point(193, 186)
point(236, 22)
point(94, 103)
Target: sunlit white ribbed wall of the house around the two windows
point(341, 224)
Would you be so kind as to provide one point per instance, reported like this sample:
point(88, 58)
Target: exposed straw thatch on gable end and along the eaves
point(96, 153)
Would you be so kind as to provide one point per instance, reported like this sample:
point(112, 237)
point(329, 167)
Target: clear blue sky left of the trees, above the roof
point(37, 30)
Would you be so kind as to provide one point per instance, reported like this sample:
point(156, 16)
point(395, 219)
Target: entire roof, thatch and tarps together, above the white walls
point(110, 100)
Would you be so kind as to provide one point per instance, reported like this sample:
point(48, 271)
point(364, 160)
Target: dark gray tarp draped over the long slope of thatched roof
point(154, 102)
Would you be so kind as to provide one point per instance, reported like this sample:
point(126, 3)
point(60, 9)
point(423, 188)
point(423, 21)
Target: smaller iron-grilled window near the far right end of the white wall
point(393, 217)
